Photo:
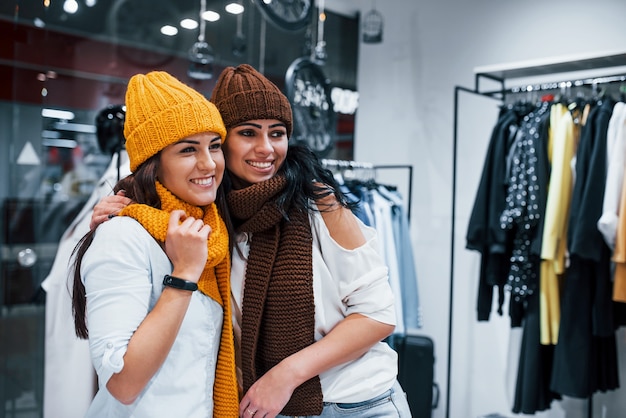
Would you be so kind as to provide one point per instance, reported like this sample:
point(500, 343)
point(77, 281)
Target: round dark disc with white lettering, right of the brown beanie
point(308, 91)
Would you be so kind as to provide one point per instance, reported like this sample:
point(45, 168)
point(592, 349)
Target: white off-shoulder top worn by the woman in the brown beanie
point(344, 282)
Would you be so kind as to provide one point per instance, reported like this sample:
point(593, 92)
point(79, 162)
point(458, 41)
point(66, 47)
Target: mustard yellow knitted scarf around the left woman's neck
point(214, 282)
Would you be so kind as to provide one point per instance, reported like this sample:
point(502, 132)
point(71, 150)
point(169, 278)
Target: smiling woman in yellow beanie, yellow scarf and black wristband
point(161, 348)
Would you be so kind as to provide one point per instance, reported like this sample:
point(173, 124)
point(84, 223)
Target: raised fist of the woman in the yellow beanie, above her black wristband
point(186, 245)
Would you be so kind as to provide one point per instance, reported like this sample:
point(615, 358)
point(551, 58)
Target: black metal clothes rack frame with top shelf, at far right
point(501, 74)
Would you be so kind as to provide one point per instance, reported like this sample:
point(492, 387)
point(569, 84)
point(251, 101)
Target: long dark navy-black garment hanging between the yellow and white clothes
point(585, 358)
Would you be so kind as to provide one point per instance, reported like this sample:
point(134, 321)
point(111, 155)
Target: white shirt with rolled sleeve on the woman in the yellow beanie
point(123, 272)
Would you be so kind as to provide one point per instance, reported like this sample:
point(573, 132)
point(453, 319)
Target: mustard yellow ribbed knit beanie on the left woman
point(161, 110)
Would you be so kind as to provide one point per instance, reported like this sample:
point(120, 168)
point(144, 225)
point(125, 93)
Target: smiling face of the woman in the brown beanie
point(255, 150)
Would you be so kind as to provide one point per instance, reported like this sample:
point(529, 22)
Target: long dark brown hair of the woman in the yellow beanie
point(140, 187)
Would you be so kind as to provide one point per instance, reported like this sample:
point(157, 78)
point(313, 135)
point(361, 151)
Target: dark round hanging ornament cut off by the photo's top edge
point(287, 14)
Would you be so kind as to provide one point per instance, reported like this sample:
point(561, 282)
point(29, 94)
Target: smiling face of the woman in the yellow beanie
point(193, 168)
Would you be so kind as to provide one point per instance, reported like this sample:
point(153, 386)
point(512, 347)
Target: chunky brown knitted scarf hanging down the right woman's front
point(278, 313)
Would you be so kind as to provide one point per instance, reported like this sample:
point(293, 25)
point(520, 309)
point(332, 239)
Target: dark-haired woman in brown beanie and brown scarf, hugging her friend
point(311, 297)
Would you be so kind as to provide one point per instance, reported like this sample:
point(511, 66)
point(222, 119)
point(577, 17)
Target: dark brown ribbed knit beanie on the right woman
point(242, 93)
